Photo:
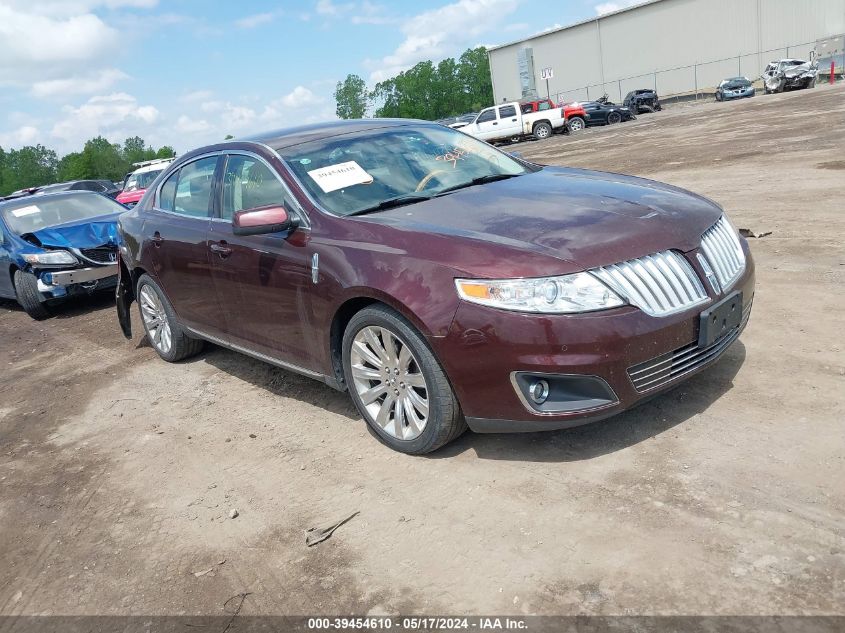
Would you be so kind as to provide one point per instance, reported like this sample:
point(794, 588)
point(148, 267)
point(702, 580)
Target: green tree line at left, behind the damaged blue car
point(36, 165)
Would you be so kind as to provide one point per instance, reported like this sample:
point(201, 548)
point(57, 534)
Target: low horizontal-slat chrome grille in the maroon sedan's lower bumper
point(663, 369)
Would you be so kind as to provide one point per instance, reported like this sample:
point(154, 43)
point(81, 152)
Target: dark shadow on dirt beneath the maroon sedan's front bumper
point(661, 413)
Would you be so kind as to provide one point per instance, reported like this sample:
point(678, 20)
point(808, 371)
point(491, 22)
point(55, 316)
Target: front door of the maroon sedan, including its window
point(262, 281)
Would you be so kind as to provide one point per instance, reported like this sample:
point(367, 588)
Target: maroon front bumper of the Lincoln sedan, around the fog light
point(485, 347)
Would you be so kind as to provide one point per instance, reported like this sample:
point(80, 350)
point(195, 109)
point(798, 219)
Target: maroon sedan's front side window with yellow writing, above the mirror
point(248, 183)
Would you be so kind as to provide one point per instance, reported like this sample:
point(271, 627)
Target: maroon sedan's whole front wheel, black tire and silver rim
point(430, 415)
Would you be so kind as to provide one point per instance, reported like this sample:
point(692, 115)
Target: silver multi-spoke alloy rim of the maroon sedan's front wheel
point(388, 379)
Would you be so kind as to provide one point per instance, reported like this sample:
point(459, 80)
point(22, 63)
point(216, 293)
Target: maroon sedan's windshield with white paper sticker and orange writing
point(356, 172)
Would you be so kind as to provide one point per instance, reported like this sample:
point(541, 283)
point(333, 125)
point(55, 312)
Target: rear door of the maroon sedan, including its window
point(176, 234)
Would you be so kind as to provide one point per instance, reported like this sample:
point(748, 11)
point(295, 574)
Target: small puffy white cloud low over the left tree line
point(114, 116)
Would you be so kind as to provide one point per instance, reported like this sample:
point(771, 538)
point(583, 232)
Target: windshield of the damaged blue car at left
point(28, 215)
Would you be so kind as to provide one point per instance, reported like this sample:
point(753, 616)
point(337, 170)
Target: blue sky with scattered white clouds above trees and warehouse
point(188, 72)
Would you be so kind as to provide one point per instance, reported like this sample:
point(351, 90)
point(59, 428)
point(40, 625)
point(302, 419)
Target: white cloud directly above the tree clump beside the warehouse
point(440, 33)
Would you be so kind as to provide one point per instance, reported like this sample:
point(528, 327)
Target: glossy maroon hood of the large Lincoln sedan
point(586, 218)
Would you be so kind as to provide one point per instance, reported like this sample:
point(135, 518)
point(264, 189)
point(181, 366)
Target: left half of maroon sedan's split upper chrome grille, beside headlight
point(660, 284)
